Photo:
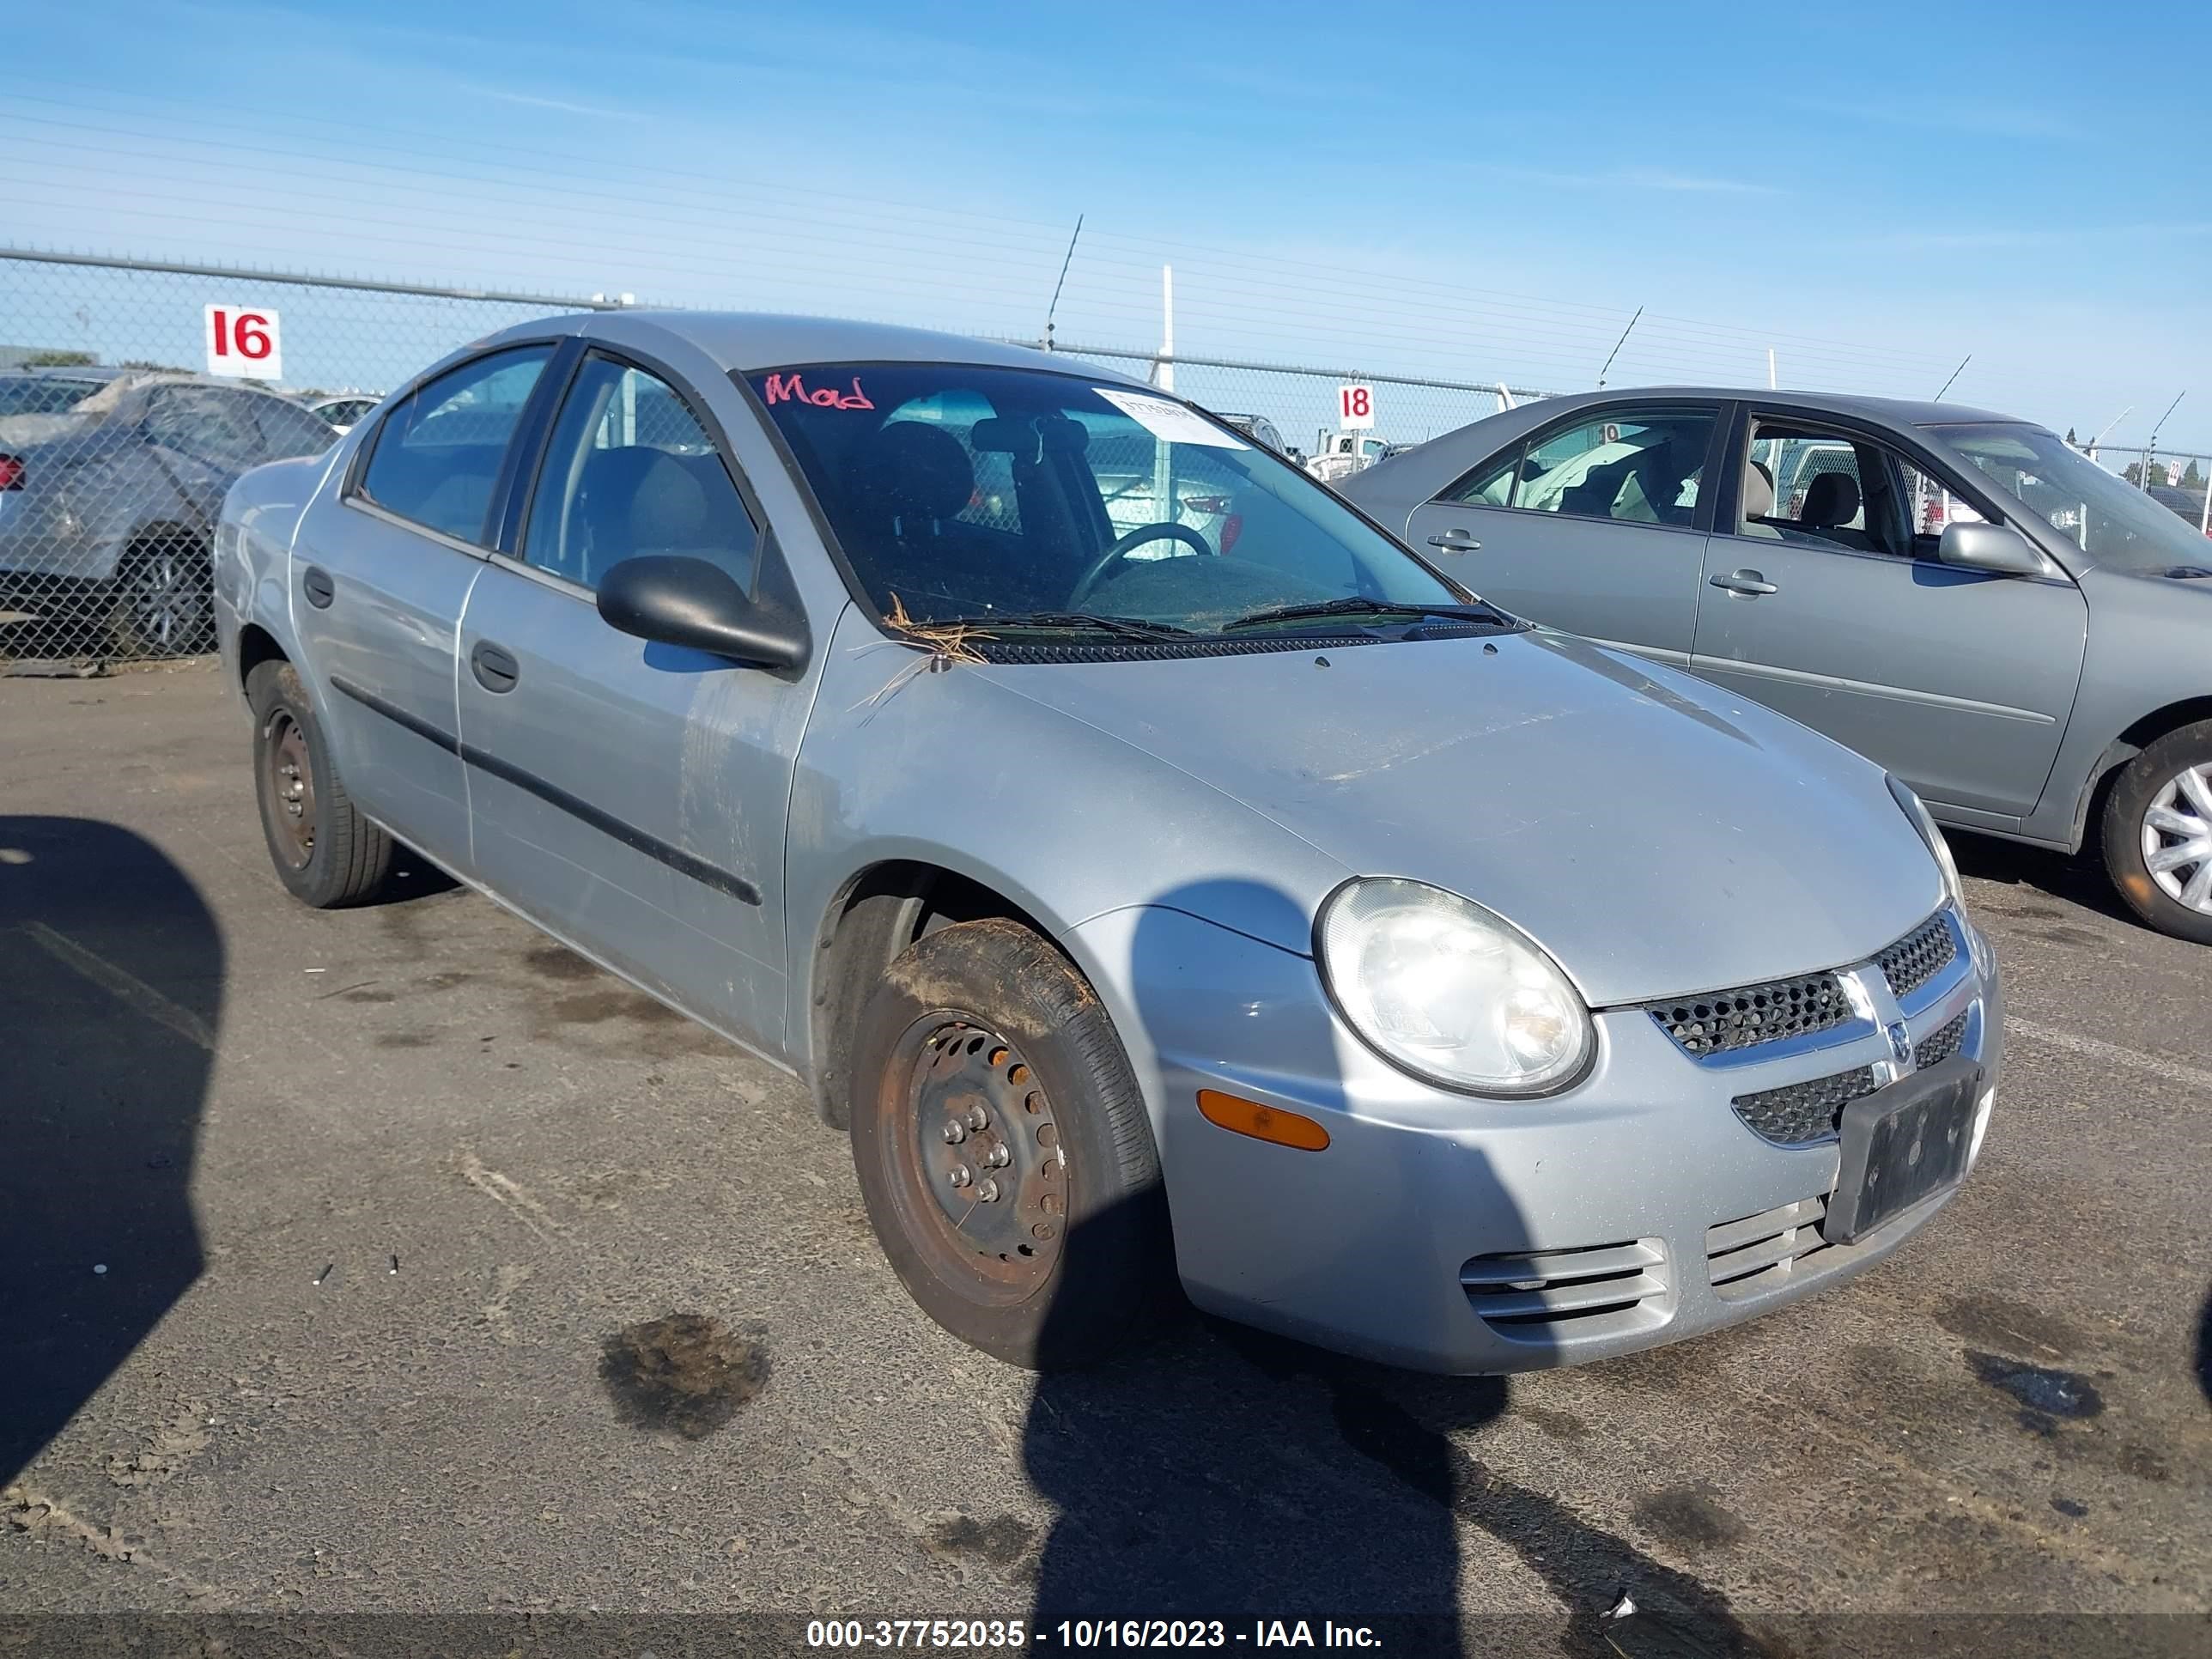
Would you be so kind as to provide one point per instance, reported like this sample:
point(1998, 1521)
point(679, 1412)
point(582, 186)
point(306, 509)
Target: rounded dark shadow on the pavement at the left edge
point(112, 977)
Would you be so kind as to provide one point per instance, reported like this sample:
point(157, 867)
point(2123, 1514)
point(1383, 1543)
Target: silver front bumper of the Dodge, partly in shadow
point(1470, 1235)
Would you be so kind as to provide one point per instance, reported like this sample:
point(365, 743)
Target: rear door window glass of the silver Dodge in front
point(439, 452)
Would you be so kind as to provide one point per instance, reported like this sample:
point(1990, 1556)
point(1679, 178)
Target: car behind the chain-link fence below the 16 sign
point(109, 490)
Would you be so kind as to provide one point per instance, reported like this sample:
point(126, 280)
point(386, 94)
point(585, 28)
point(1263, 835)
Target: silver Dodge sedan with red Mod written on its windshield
point(1280, 919)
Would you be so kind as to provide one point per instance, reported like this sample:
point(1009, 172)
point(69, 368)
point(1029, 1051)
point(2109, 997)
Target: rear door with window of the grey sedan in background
point(1594, 525)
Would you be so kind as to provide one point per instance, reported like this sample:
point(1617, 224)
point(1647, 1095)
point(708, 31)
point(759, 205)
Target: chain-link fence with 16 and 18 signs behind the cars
point(116, 444)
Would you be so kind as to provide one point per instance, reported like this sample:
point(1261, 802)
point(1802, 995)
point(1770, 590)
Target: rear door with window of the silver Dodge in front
point(379, 578)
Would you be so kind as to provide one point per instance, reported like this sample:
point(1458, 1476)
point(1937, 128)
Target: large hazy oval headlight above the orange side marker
point(1450, 992)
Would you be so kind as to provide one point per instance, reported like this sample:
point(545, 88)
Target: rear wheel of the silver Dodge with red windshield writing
point(324, 851)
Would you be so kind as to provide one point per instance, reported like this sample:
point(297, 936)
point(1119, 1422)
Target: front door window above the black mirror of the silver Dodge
point(634, 472)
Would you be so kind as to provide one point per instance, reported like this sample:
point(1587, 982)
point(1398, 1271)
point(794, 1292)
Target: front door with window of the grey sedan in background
point(1828, 603)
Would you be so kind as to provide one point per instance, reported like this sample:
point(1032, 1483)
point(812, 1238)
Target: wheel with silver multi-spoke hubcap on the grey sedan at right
point(2169, 784)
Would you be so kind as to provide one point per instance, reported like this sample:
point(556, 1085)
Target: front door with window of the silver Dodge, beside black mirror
point(629, 795)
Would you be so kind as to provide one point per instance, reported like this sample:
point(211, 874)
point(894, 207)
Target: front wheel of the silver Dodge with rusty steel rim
point(983, 1043)
